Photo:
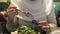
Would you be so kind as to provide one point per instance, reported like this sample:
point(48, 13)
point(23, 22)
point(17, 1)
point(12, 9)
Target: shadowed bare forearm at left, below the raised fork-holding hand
point(10, 24)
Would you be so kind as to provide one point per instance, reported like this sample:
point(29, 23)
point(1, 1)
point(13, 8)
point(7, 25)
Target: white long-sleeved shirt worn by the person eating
point(42, 10)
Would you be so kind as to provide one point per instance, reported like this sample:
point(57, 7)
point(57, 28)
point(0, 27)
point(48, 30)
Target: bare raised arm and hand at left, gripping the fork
point(11, 24)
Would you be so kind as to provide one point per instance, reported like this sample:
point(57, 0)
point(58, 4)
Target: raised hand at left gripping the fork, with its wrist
point(11, 13)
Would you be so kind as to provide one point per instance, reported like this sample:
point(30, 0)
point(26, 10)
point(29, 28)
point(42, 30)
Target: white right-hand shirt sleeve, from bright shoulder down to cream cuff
point(51, 18)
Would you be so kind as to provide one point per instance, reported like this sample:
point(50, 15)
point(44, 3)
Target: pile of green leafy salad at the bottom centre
point(26, 30)
